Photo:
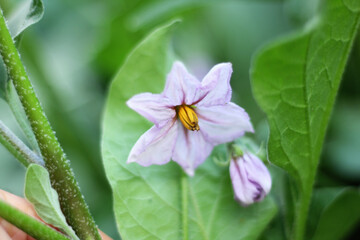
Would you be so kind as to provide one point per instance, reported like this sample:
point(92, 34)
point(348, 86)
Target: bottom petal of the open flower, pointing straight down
point(191, 149)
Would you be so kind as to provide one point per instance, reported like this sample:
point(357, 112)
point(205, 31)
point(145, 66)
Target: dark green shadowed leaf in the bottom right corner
point(333, 212)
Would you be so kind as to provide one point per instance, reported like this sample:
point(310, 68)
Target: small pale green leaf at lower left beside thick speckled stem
point(39, 192)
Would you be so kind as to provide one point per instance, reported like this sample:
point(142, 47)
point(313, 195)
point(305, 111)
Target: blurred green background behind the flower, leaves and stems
point(73, 52)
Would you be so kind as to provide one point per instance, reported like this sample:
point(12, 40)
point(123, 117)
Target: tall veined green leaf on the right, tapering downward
point(295, 81)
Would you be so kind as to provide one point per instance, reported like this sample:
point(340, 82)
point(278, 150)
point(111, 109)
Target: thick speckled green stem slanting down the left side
point(62, 178)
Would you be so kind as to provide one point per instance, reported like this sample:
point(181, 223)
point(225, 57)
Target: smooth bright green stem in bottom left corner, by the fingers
point(30, 225)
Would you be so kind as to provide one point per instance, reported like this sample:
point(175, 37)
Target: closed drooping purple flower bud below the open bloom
point(250, 179)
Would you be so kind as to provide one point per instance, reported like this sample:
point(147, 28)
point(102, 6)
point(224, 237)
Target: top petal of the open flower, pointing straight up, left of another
point(181, 87)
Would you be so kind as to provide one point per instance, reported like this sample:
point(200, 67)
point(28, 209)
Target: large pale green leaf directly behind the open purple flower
point(159, 202)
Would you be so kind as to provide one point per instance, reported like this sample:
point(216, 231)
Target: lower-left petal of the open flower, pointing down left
point(155, 146)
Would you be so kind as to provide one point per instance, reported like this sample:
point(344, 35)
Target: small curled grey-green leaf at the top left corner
point(28, 13)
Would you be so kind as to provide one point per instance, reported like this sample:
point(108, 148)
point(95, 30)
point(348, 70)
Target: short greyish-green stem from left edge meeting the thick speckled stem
point(17, 148)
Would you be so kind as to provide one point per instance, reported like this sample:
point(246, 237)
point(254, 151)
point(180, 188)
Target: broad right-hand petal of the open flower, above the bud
point(223, 123)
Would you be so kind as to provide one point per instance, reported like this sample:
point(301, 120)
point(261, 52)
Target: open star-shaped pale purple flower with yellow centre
point(190, 118)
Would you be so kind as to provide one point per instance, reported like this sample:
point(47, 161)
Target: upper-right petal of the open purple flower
point(216, 86)
